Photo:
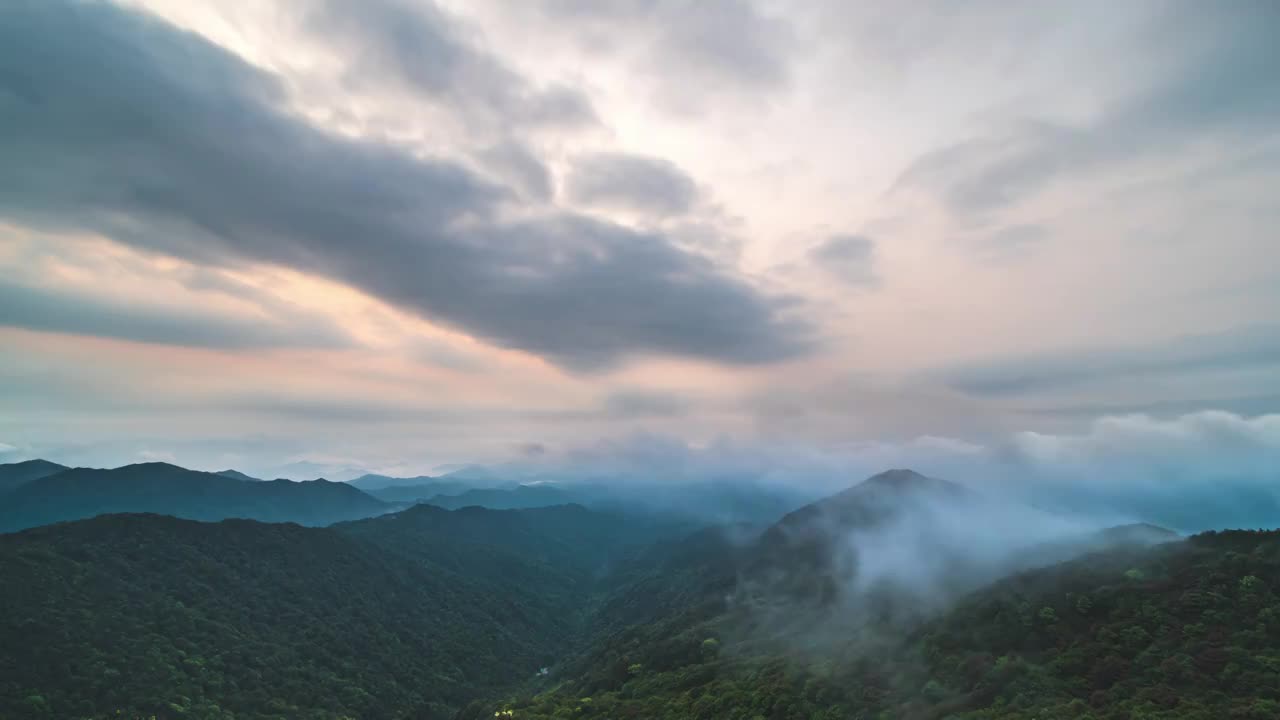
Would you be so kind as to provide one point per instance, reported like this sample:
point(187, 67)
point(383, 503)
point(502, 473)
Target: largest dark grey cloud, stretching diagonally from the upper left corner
point(125, 126)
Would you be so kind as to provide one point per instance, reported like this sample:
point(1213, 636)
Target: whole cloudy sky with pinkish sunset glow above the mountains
point(318, 238)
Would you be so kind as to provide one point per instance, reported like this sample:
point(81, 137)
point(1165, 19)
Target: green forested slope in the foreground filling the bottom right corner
point(1181, 630)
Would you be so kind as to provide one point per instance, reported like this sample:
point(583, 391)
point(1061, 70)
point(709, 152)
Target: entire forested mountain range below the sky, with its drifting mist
point(903, 596)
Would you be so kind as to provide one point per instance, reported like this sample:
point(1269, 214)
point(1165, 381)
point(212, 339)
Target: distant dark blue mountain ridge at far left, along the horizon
point(159, 487)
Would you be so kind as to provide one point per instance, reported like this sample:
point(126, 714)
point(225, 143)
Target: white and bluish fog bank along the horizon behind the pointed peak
point(1191, 473)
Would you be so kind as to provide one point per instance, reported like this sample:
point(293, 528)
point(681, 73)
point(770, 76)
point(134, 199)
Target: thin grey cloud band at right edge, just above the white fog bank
point(1256, 347)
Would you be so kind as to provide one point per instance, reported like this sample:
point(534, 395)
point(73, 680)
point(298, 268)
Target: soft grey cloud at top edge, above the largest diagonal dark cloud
point(426, 51)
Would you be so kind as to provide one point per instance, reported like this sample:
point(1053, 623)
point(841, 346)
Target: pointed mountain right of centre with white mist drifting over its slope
point(838, 581)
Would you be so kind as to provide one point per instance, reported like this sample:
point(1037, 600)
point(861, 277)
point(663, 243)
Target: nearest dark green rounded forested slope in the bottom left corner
point(154, 616)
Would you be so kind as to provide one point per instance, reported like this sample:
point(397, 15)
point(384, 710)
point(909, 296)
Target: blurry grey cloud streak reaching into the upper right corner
point(1219, 76)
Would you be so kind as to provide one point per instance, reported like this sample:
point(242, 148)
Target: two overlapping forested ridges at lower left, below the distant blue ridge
point(404, 616)
